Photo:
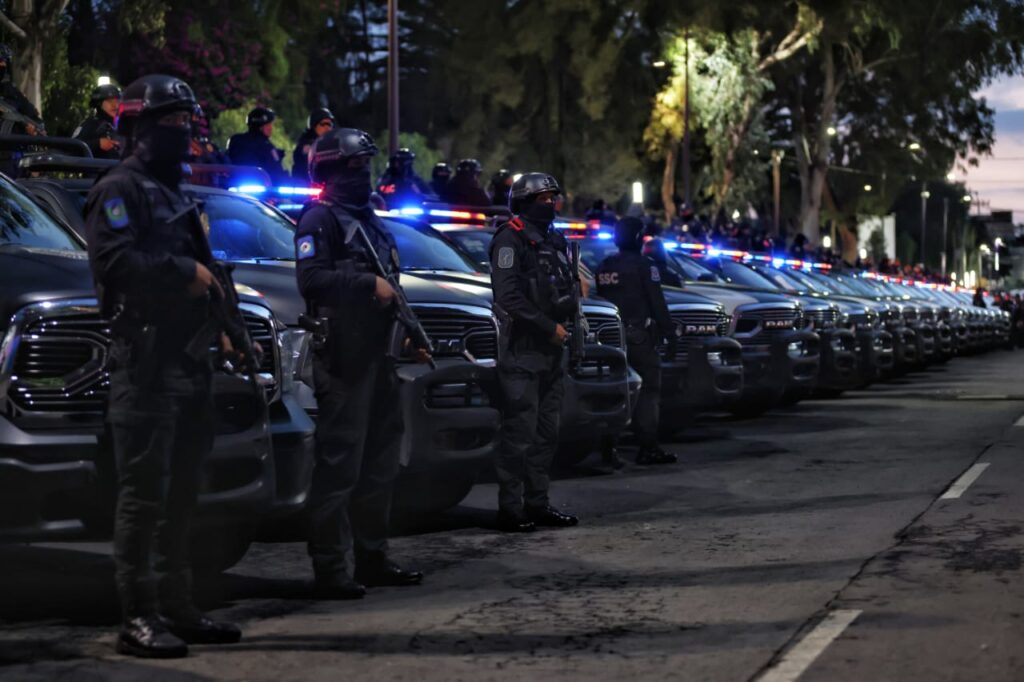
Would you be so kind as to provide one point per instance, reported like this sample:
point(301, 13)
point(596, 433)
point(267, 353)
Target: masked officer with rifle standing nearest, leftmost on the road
point(150, 255)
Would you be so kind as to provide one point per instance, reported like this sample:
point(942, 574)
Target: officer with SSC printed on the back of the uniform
point(632, 282)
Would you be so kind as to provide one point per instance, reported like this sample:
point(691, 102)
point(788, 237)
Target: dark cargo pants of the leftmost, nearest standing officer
point(163, 429)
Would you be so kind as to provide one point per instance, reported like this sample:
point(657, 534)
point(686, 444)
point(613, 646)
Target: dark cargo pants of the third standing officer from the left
point(533, 387)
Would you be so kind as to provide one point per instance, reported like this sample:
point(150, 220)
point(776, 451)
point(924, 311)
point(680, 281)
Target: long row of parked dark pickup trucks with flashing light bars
point(758, 333)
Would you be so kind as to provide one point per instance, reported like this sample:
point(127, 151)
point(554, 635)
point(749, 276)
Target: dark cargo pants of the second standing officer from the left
point(359, 440)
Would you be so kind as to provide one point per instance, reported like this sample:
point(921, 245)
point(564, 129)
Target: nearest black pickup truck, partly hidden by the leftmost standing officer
point(57, 474)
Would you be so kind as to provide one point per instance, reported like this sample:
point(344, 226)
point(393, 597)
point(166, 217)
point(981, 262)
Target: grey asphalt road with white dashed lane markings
point(837, 540)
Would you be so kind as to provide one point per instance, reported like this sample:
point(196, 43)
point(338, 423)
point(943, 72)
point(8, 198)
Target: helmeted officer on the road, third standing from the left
point(533, 285)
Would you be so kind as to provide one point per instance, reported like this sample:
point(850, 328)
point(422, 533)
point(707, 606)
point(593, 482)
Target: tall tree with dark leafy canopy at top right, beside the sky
point(894, 75)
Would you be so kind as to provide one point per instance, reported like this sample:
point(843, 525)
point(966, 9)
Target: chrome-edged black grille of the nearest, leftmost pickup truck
point(59, 364)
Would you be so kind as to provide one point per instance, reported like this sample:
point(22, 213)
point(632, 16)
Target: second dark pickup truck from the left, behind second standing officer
point(451, 424)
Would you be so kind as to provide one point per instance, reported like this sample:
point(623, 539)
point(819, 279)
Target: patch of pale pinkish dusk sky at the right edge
point(999, 179)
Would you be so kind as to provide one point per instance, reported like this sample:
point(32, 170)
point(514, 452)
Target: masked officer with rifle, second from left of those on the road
point(360, 420)
